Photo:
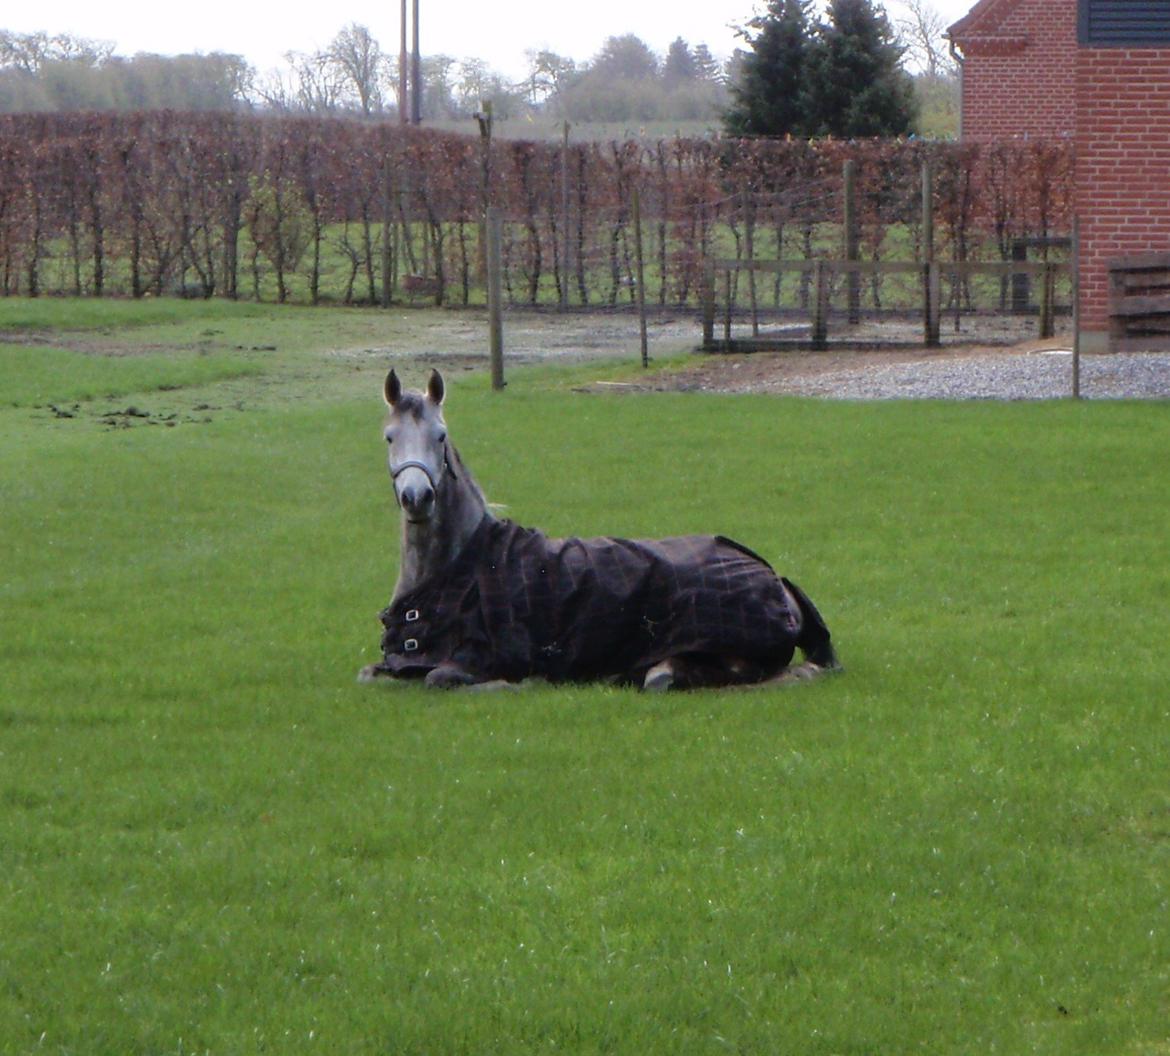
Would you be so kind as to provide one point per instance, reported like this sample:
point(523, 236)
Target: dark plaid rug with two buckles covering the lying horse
point(517, 604)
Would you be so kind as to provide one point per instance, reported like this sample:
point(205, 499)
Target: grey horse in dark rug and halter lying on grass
point(481, 602)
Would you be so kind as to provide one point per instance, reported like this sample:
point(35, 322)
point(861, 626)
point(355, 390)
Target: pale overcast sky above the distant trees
point(499, 33)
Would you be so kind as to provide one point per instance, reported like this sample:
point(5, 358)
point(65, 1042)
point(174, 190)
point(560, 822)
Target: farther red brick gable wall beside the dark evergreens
point(1020, 73)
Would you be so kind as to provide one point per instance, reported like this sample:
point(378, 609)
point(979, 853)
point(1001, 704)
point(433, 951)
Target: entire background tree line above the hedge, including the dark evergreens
point(786, 56)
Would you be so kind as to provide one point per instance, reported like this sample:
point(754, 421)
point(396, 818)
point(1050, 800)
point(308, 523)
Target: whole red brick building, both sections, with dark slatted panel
point(1098, 72)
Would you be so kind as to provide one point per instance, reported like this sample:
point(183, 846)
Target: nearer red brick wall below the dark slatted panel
point(1123, 165)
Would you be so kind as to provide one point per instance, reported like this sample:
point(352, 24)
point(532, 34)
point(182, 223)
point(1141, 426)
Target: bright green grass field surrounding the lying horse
point(214, 841)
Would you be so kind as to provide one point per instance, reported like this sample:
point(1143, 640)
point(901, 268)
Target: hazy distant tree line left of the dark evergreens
point(354, 75)
